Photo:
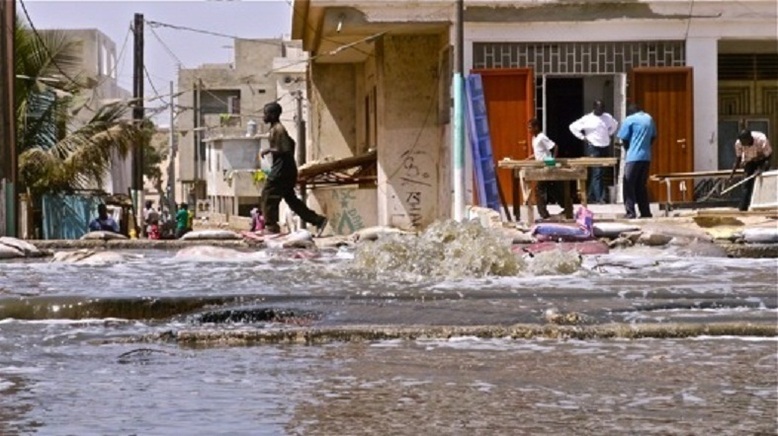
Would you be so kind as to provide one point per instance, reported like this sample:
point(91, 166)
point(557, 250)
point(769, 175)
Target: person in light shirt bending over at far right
point(752, 149)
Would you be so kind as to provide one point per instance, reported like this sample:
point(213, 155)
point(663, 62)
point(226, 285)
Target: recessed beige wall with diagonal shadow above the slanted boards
point(333, 113)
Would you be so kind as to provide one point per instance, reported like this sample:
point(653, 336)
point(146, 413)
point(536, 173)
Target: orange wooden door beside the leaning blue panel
point(510, 103)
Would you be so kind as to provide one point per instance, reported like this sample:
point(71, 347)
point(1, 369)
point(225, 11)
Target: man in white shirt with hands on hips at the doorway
point(596, 128)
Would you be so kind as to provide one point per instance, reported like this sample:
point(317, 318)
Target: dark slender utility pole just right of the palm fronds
point(137, 116)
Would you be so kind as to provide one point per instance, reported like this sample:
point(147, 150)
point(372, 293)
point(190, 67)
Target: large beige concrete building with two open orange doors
point(381, 73)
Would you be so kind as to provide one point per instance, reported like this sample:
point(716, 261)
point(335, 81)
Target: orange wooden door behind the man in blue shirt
point(666, 94)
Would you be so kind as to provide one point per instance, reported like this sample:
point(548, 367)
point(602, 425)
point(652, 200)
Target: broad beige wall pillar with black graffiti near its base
point(409, 137)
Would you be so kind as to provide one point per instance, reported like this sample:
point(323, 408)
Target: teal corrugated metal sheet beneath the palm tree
point(67, 216)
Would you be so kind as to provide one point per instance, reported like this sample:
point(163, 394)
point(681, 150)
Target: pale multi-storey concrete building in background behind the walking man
point(223, 99)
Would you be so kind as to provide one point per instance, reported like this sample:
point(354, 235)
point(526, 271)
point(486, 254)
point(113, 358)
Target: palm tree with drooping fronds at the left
point(55, 153)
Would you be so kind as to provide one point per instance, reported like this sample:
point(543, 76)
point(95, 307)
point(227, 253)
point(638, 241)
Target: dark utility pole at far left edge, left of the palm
point(8, 165)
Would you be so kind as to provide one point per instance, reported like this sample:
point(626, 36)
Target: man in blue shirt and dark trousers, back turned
point(637, 134)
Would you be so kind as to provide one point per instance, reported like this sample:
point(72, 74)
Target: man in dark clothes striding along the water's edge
point(282, 179)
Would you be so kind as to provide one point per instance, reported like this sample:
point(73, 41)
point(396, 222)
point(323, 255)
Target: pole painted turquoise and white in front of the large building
point(458, 135)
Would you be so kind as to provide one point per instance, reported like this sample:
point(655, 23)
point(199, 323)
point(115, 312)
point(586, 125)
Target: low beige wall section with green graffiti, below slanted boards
point(348, 208)
